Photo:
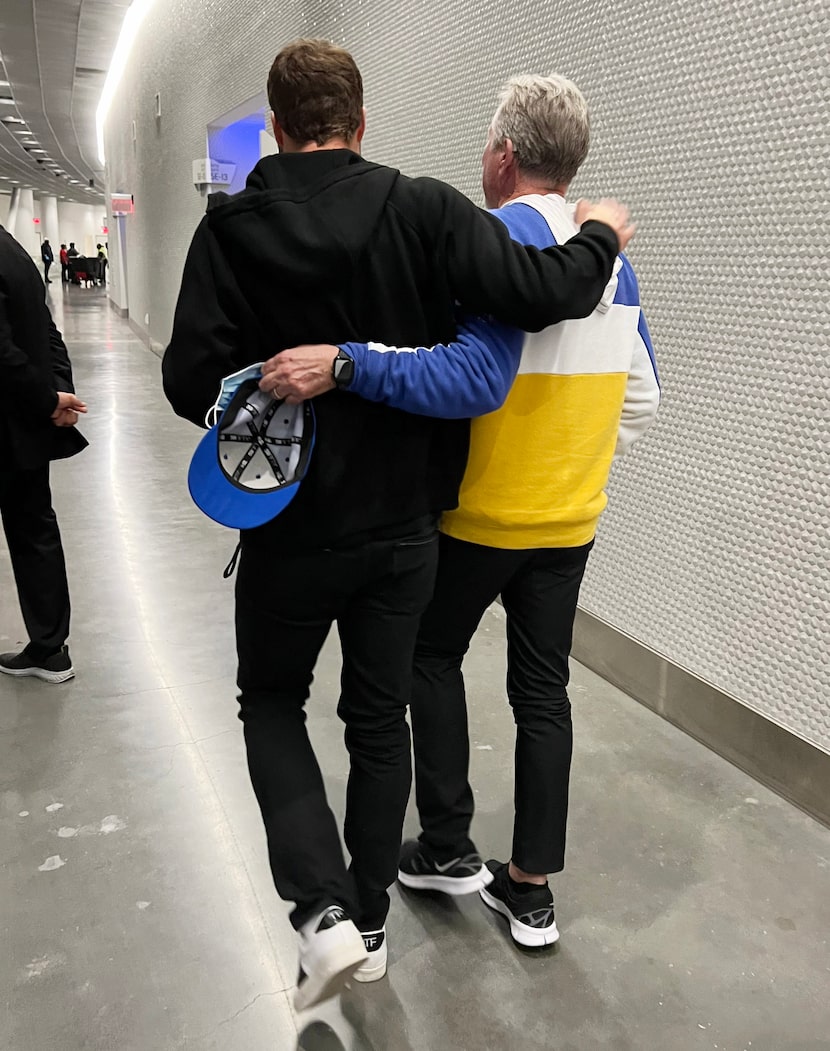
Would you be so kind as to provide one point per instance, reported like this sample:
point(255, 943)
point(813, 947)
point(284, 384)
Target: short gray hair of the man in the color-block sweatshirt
point(547, 120)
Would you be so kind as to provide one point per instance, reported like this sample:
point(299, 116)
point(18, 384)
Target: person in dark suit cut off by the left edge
point(37, 426)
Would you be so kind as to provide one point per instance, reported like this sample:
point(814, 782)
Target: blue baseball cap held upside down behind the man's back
point(251, 465)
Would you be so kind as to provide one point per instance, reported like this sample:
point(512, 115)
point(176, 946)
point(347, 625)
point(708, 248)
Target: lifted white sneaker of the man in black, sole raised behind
point(331, 950)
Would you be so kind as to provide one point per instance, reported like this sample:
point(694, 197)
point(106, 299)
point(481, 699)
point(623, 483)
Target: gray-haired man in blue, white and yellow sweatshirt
point(529, 509)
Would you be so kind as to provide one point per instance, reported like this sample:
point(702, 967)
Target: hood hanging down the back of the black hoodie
point(303, 219)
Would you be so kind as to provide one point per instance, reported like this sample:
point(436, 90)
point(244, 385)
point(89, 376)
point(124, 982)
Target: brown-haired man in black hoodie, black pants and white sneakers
point(324, 246)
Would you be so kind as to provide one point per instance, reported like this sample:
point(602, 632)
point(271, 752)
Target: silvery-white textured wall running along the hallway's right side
point(711, 120)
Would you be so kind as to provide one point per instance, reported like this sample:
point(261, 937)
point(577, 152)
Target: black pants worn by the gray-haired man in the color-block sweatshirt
point(539, 590)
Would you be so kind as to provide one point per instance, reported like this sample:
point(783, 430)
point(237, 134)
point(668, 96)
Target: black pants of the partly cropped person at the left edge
point(37, 558)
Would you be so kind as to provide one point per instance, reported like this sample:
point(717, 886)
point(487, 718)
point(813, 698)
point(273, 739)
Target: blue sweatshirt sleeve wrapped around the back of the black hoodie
point(470, 377)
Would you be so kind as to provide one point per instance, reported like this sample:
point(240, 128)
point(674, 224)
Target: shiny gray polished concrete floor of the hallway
point(136, 906)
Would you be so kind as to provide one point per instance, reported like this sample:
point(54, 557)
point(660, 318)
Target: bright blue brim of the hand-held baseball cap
point(223, 502)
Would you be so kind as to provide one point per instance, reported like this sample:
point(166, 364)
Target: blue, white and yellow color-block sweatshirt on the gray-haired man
point(584, 393)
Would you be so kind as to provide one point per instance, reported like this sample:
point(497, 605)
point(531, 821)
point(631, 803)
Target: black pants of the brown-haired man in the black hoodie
point(285, 609)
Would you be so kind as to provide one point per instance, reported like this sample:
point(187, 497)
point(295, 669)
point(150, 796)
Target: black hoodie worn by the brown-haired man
point(326, 248)
